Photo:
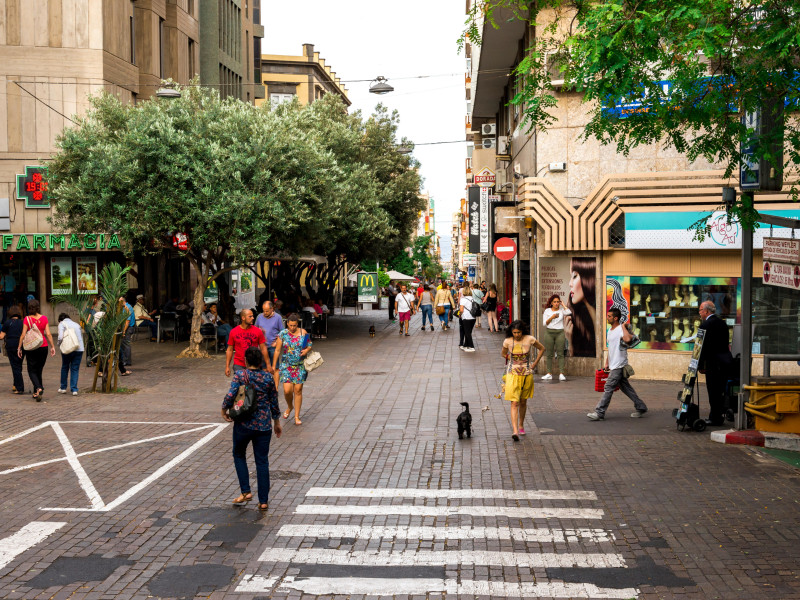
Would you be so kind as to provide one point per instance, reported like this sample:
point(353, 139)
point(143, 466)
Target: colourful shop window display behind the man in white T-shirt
point(663, 311)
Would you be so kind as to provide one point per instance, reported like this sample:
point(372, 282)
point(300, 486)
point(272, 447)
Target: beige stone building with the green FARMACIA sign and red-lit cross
point(51, 60)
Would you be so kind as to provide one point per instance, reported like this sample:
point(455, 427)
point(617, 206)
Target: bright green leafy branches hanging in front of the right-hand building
point(690, 67)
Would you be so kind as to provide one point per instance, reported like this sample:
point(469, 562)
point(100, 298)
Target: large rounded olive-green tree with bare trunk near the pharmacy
point(241, 182)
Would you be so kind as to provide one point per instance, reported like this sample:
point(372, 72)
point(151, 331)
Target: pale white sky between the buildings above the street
point(361, 39)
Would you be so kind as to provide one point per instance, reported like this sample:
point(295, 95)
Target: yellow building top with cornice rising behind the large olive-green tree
point(306, 77)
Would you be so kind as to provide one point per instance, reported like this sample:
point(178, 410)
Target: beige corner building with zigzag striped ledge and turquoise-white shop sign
point(602, 229)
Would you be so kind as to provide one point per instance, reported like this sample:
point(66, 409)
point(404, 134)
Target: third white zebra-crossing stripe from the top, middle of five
point(447, 533)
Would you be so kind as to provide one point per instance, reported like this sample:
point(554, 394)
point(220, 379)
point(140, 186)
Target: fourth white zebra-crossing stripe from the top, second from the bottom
point(379, 558)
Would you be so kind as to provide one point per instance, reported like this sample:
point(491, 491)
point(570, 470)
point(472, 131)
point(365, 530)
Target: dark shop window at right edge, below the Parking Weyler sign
point(776, 319)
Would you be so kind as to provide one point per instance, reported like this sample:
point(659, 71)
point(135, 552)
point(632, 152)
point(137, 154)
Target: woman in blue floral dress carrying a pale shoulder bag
point(293, 343)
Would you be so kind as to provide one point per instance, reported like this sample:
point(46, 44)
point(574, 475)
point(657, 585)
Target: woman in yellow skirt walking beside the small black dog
point(518, 351)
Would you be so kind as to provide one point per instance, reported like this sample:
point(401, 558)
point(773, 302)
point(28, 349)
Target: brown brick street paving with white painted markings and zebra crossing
point(375, 495)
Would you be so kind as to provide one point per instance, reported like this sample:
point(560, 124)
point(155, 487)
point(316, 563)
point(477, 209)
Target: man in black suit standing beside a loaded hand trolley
point(715, 360)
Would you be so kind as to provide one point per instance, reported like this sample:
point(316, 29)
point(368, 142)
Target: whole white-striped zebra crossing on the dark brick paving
point(410, 567)
